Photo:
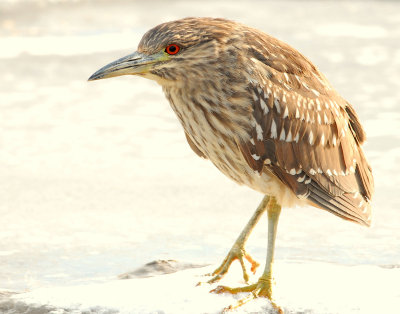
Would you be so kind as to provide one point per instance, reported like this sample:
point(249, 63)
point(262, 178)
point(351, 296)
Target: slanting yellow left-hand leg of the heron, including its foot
point(238, 251)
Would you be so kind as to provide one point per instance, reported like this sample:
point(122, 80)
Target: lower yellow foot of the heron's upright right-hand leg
point(263, 288)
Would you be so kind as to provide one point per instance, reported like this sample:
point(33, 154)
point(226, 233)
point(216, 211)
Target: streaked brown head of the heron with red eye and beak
point(173, 52)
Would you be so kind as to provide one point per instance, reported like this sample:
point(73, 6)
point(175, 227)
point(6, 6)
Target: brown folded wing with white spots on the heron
point(307, 135)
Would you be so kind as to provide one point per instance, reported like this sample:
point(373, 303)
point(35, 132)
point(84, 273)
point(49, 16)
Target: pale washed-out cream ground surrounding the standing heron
point(97, 178)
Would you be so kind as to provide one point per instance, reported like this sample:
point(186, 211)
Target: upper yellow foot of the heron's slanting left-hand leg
point(237, 252)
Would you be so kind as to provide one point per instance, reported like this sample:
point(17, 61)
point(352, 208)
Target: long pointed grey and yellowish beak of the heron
point(135, 63)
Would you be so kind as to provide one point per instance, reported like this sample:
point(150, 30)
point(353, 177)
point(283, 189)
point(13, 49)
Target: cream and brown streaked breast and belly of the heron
point(212, 134)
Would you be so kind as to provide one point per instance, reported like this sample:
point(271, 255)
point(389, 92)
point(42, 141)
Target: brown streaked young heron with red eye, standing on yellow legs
point(265, 116)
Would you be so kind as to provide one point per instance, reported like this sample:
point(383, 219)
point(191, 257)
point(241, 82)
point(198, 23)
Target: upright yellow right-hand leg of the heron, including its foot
point(263, 288)
